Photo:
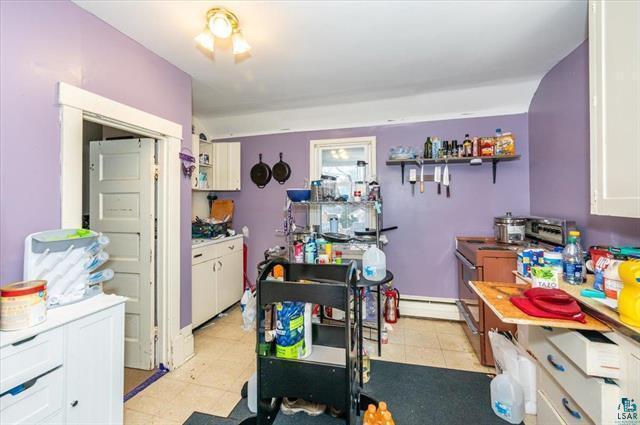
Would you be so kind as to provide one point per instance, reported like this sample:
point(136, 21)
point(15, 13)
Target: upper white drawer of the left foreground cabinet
point(29, 358)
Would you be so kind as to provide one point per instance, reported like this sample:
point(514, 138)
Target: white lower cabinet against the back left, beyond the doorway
point(217, 276)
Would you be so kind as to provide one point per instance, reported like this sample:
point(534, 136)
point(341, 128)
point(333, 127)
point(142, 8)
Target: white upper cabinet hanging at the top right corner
point(614, 70)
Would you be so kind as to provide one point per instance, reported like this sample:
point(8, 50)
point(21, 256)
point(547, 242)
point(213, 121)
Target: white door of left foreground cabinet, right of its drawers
point(94, 365)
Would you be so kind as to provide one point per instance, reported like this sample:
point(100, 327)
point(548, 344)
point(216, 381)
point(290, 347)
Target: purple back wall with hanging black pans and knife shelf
point(420, 252)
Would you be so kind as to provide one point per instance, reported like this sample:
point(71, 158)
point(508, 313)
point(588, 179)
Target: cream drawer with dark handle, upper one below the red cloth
point(598, 397)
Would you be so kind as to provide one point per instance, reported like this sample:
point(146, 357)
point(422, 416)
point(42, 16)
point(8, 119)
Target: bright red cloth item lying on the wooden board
point(549, 304)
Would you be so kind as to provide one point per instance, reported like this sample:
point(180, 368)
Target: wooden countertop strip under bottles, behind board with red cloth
point(594, 307)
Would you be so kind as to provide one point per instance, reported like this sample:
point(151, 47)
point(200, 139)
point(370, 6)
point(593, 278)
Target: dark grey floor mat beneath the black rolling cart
point(416, 395)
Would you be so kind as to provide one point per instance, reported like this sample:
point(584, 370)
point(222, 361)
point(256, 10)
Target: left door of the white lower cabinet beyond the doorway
point(203, 291)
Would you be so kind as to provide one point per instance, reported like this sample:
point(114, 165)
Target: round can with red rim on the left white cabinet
point(22, 305)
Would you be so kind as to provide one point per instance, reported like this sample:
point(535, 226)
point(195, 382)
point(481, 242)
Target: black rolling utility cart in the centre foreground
point(330, 374)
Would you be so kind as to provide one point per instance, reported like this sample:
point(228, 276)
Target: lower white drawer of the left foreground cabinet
point(40, 400)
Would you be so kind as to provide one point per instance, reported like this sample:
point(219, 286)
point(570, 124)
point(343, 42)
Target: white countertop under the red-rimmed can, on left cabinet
point(60, 316)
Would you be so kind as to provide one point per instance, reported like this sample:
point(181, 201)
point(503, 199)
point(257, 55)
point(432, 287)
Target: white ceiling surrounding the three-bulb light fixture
point(309, 54)
